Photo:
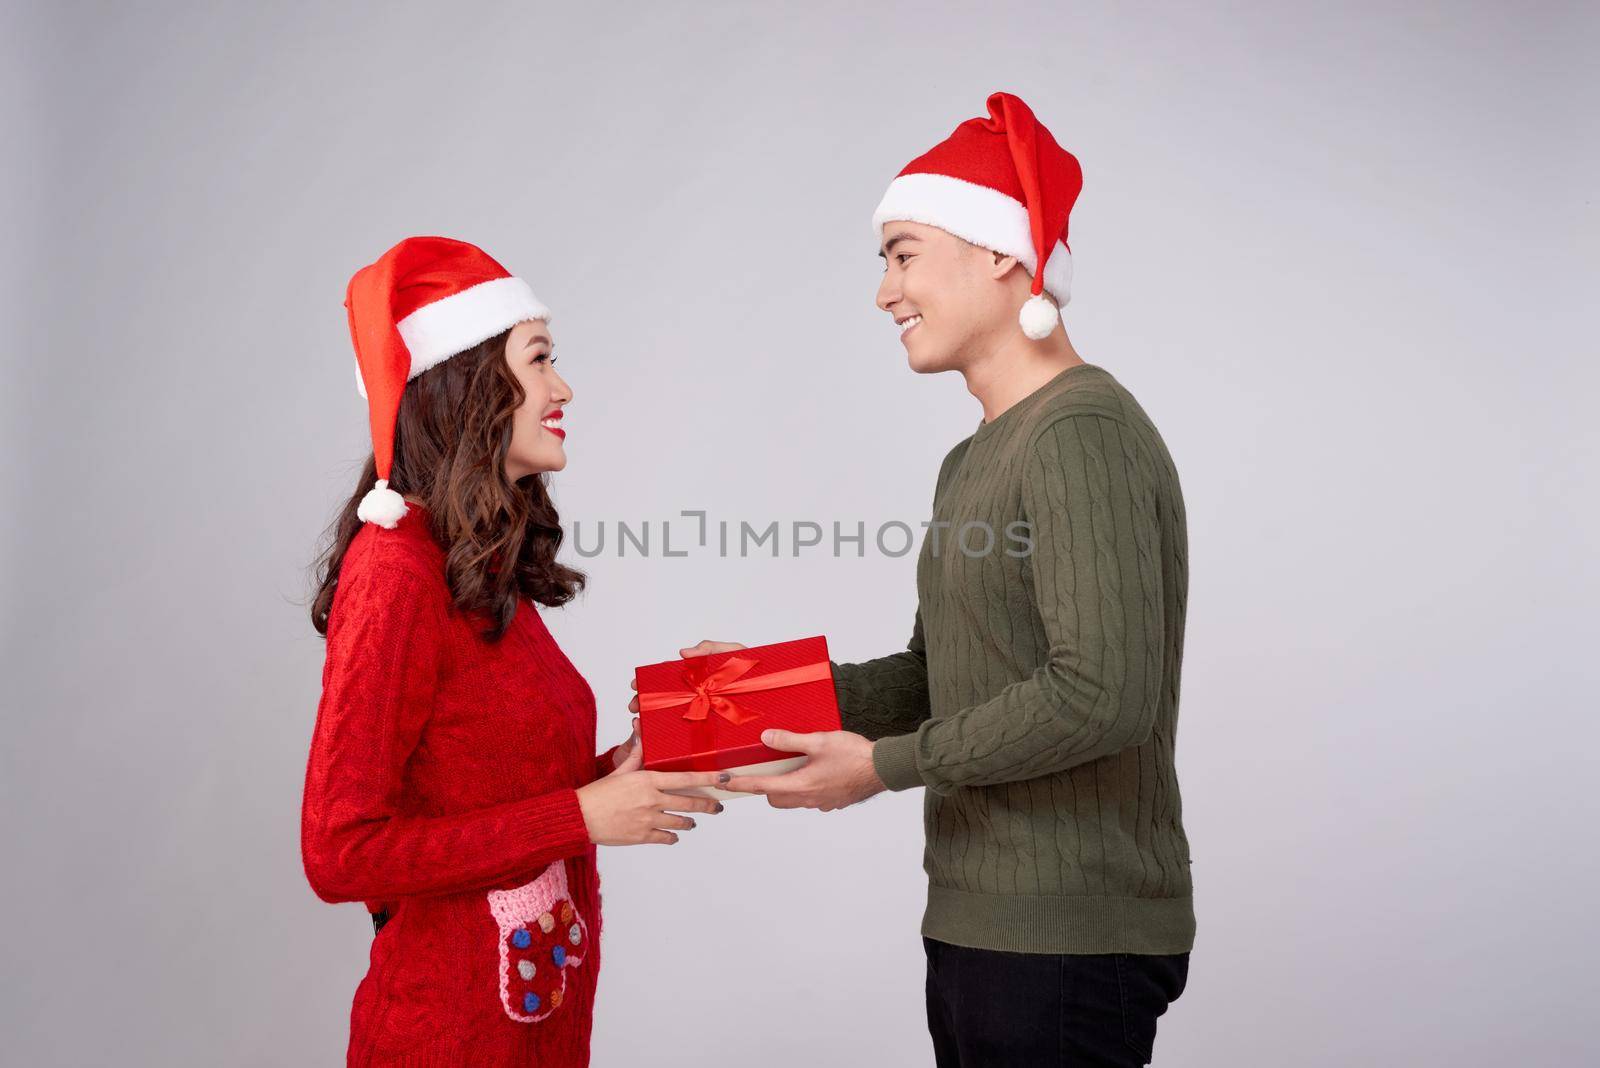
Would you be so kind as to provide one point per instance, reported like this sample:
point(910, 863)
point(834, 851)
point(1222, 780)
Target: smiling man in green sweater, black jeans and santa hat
point(1038, 699)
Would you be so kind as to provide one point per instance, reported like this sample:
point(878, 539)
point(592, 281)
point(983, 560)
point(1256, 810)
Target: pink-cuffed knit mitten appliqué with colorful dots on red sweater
point(540, 938)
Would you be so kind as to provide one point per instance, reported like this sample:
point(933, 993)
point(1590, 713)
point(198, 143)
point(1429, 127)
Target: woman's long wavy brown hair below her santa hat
point(450, 453)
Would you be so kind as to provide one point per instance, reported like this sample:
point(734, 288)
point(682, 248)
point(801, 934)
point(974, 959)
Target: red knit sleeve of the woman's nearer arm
point(385, 652)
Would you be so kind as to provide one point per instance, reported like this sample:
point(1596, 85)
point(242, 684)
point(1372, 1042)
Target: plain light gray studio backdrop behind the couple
point(1337, 252)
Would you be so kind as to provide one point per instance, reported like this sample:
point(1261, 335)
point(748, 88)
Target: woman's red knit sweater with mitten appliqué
point(442, 787)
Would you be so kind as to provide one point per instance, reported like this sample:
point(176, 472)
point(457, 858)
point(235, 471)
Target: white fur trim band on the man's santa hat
point(974, 213)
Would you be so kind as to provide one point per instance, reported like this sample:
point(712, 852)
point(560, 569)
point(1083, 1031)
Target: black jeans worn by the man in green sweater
point(990, 1010)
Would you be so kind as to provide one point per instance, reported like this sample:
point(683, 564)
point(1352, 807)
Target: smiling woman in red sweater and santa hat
point(454, 783)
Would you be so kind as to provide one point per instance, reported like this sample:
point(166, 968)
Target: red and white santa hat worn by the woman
point(426, 300)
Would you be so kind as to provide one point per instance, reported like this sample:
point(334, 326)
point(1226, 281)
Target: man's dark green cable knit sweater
point(1038, 699)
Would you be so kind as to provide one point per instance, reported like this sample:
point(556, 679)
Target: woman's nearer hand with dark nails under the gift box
point(630, 807)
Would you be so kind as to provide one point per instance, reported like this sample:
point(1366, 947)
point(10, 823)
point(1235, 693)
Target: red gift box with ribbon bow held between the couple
point(708, 714)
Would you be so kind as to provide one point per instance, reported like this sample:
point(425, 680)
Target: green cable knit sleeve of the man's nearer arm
point(1092, 508)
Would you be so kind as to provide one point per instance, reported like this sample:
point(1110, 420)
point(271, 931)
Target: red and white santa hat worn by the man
point(1001, 183)
